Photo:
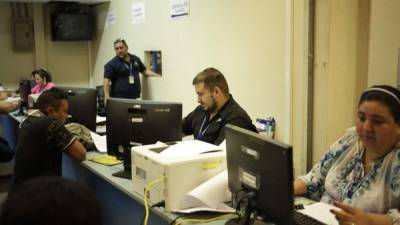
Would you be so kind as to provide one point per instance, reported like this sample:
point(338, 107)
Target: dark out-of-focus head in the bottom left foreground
point(51, 200)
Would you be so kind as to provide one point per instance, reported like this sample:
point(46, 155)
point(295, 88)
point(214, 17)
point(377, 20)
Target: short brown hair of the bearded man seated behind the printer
point(212, 78)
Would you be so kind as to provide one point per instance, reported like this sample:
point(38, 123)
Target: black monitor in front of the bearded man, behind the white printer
point(139, 122)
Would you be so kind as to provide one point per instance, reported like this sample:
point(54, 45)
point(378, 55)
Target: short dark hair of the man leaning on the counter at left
point(51, 98)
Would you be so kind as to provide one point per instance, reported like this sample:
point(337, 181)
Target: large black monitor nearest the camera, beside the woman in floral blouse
point(260, 170)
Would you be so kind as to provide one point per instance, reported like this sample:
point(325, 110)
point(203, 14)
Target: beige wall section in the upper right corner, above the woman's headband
point(384, 42)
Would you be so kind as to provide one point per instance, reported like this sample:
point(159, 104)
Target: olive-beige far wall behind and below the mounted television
point(68, 62)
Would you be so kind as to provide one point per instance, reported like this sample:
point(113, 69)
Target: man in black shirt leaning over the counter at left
point(42, 139)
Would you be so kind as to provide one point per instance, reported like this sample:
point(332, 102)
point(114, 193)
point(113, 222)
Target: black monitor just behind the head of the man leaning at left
point(82, 106)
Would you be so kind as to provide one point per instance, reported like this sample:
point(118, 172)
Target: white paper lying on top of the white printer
point(188, 148)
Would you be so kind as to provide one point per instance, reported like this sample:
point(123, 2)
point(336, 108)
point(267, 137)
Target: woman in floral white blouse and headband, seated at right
point(360, 173)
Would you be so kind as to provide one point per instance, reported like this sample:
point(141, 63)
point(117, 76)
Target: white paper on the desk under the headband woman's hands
point(321, 212)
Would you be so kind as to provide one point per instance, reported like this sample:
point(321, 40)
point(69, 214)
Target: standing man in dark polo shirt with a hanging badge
point(121, 73)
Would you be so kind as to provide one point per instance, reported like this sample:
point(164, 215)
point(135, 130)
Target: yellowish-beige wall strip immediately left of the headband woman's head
point(341, 51)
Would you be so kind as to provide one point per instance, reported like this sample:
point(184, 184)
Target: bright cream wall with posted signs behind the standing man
point(249, 43)
